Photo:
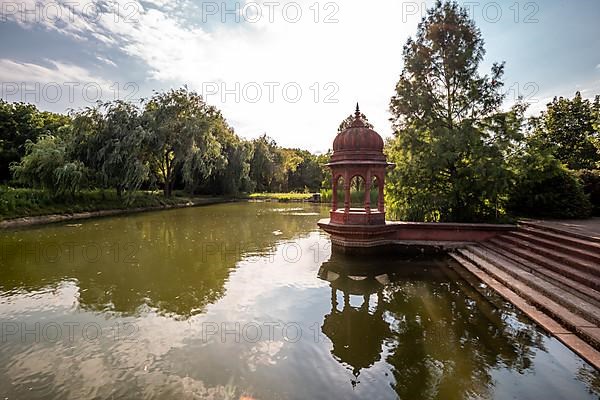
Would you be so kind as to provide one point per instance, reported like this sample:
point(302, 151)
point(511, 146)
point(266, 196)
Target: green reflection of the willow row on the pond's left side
point(177, 261)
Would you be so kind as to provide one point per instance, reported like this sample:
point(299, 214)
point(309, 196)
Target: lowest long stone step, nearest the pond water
point(569, 320)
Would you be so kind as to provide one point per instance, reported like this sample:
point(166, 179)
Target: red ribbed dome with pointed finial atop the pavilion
point(358, 142)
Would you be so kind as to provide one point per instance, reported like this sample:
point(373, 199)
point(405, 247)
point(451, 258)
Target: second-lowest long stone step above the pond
point(483, 258)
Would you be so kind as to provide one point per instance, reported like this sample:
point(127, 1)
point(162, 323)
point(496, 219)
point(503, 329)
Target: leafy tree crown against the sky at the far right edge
point(569, 128)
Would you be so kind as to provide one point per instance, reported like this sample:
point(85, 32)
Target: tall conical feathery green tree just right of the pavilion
point(451, 140)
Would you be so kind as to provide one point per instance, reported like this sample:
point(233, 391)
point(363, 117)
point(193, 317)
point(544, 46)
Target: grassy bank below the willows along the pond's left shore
point(16, 203)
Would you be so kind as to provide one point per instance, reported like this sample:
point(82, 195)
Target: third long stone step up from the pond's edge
point(575, 288)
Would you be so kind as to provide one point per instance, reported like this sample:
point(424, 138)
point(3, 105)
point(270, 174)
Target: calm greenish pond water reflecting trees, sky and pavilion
point(246, 300)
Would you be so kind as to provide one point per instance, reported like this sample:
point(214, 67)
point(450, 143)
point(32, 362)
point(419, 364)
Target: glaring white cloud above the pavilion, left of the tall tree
point(355, 59)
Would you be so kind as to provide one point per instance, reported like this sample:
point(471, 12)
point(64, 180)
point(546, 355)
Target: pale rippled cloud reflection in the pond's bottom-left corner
point(89, 371)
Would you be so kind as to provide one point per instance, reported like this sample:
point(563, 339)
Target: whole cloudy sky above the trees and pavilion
point(291, 69)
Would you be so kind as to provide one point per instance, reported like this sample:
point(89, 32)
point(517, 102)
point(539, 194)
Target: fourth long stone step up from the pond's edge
point(561, 268)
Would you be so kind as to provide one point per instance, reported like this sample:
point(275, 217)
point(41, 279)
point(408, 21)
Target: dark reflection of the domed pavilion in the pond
point(357, 333)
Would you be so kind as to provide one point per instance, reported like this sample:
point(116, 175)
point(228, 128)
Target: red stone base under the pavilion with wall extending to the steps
point(408, 237)
